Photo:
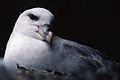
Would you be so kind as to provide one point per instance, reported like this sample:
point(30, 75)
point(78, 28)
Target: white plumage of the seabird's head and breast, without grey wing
point(26, 45)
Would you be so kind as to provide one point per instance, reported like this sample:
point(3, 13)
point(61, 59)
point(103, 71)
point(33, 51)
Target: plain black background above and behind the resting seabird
point(91, 22)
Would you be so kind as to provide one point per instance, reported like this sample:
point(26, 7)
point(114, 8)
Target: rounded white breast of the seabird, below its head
point(27, 51)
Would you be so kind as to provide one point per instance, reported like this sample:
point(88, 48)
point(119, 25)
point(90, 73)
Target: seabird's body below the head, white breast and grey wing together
point(66, 57)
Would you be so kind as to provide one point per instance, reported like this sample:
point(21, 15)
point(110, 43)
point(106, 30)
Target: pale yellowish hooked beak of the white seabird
point(45, 35)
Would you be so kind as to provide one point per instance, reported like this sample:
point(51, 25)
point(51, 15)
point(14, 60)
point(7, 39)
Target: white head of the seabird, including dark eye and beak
point(35, 23)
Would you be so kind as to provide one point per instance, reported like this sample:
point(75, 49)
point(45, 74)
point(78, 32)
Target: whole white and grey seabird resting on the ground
point(33, 46)
